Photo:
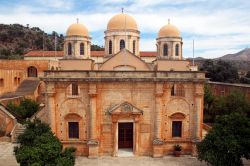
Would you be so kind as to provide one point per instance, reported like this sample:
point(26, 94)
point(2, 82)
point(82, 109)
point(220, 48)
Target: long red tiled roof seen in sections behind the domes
point(93, 54)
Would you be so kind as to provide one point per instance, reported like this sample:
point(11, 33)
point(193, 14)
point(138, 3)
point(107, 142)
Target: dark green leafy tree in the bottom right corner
point(227, 142)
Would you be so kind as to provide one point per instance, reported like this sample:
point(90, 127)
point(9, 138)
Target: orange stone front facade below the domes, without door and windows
point(106, 99)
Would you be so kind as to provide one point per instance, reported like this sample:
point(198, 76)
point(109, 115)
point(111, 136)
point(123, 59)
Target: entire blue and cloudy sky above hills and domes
point(218, 27)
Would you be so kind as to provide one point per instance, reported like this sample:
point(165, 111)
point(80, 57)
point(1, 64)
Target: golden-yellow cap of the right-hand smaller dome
point(169, 31)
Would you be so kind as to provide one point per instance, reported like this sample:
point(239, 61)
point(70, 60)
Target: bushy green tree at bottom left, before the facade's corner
point(38, 146)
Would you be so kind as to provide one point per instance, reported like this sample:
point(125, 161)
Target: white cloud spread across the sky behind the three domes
point(216, 33)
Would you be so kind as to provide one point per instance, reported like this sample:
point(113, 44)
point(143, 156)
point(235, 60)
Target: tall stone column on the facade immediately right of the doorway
point(157, 142)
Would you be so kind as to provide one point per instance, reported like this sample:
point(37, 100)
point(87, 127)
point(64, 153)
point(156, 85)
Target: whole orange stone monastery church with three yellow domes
point(104, 102)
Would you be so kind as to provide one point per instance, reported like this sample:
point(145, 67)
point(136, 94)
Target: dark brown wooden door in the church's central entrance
point(125, 135)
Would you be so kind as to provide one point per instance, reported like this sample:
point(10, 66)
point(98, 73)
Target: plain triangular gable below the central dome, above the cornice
point(125, 61)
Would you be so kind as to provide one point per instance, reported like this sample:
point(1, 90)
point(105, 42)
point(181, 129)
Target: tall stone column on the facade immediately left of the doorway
point(93, 141)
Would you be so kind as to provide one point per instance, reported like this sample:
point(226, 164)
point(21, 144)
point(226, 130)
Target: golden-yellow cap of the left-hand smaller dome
point(77, 30)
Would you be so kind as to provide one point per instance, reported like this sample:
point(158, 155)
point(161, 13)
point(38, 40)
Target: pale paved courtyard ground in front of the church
point(7, 159)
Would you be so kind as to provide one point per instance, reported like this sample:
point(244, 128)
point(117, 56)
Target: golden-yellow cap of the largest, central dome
point(122, 21)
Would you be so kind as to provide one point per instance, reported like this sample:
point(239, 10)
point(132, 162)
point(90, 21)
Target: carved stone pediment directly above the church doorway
point(125, 108)
